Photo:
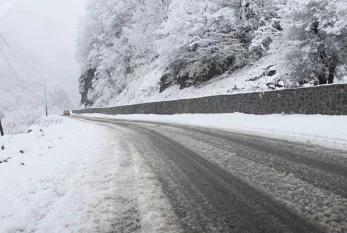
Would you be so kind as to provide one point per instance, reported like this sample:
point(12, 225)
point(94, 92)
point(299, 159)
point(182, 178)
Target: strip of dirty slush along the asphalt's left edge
point(155, 212)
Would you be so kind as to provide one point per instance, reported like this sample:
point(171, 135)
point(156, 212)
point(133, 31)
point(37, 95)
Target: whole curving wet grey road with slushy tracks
point(225, 182)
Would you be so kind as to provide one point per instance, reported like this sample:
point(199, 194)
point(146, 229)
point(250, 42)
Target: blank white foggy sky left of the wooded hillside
point(43, 34)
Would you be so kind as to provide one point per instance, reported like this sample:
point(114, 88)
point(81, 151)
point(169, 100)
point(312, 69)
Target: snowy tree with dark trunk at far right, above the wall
point(319, 38)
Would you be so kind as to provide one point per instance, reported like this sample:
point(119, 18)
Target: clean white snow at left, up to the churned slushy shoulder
point(41, 177)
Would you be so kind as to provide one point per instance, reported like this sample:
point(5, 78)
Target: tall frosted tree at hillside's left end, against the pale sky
point(103, 49)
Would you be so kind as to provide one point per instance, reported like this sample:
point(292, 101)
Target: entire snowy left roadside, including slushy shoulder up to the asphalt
point(71, 176)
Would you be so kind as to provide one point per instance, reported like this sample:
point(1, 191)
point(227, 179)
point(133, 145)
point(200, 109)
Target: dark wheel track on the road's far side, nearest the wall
point(332, 179)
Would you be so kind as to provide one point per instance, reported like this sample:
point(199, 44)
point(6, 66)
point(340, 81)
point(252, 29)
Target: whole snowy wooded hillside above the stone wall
point(133, 52)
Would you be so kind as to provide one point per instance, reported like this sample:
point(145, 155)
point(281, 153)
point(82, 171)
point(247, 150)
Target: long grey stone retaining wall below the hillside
point(325, 100)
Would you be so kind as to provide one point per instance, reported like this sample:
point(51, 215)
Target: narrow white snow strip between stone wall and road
point(326, 131)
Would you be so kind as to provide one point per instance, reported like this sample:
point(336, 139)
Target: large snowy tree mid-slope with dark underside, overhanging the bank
point(198, 41)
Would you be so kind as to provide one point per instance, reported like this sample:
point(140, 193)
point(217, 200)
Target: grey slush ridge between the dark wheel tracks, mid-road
point(321, 206)
